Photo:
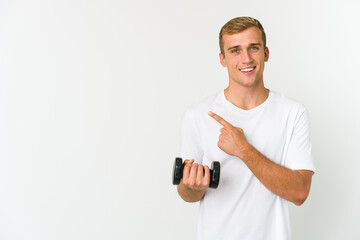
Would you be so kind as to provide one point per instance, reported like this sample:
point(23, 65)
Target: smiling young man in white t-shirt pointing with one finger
point(260, 138)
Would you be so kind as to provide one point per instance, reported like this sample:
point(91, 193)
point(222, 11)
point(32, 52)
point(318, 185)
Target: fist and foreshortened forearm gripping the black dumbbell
point(195, 181)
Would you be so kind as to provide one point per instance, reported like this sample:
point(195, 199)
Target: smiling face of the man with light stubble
point(244, 56)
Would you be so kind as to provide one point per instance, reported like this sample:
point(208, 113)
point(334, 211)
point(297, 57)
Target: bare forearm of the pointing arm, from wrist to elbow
point(291, 185)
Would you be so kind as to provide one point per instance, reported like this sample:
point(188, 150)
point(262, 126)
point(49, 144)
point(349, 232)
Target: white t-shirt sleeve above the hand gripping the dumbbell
point(190, 139)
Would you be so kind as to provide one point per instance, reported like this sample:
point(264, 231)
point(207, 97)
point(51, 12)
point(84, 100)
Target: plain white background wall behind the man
point(91, 99)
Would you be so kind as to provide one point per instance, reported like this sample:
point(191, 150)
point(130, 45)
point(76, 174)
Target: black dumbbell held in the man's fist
point(214, 173)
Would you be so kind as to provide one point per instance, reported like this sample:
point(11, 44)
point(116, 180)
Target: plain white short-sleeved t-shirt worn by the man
point(242, 207)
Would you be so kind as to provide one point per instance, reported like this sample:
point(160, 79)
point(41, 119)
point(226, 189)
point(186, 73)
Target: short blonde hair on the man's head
point(237, 25)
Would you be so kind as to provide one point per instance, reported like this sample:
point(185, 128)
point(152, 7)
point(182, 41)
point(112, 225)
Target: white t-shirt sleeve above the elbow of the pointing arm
point(299, 155)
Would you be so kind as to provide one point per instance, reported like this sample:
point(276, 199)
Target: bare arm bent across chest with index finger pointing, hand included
point(292, 185)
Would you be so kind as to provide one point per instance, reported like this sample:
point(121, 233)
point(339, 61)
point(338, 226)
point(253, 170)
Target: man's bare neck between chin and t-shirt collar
point(246, 97)
